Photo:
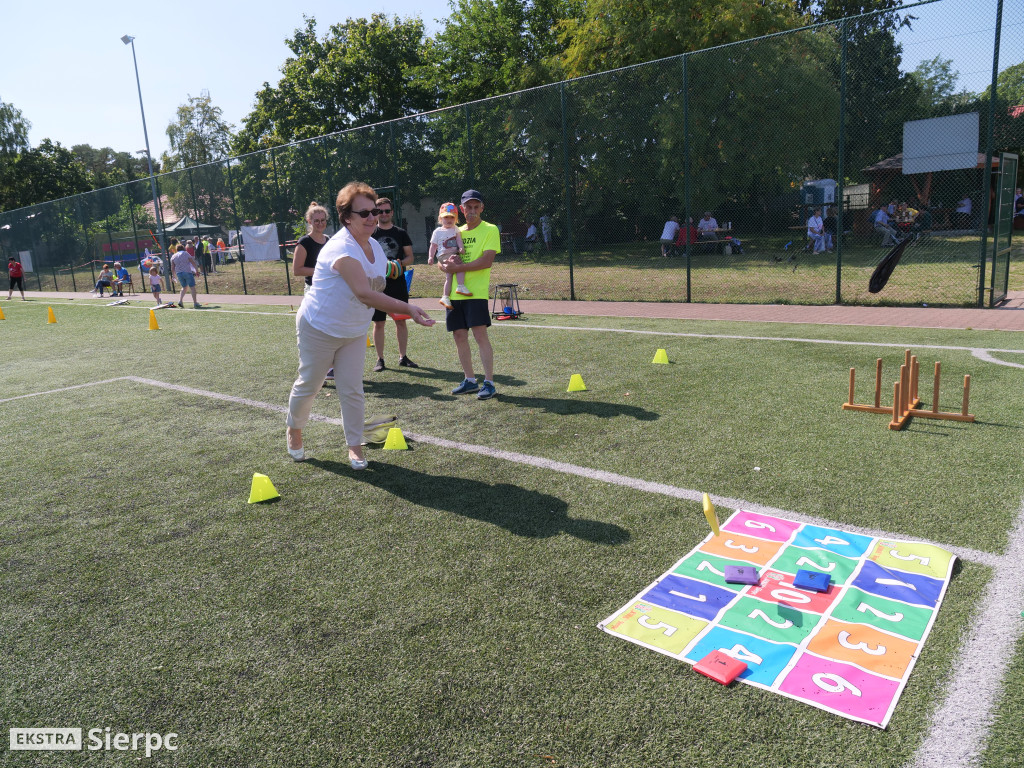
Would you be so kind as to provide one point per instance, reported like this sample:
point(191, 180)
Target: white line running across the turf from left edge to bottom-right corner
point(960, 726)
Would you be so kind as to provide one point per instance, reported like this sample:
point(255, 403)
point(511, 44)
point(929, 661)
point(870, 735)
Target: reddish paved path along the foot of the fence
point(1009, 317)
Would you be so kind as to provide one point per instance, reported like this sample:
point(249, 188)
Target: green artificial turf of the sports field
point(441, 609)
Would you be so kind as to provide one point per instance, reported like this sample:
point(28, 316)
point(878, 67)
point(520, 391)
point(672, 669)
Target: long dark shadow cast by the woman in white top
point(523, 513)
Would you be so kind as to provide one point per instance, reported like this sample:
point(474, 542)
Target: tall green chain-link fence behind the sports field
point(757, 135)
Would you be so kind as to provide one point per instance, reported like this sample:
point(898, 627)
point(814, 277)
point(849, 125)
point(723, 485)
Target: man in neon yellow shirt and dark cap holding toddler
point(483, 242)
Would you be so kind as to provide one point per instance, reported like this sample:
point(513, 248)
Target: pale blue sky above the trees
point(67, 70)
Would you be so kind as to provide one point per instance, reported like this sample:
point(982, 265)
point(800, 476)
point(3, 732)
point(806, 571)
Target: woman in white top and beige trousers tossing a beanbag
point(334, 319)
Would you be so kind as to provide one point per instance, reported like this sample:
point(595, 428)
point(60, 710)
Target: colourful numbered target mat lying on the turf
point(848, 651)
